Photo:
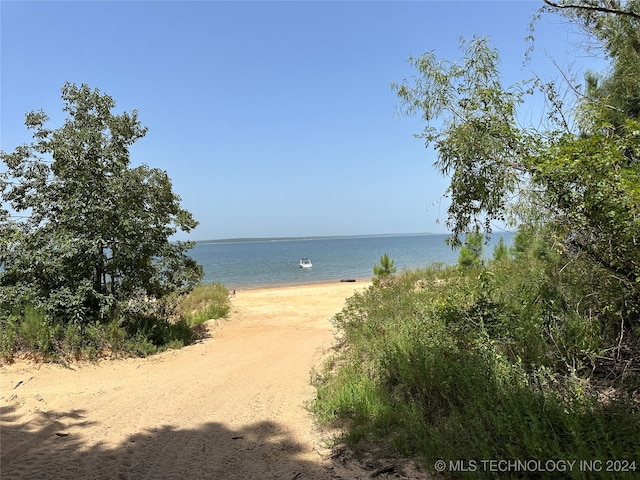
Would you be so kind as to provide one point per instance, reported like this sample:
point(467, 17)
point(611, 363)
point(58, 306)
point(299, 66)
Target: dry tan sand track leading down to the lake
point(229, 407)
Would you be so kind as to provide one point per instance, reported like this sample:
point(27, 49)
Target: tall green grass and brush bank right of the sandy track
point(482, 363)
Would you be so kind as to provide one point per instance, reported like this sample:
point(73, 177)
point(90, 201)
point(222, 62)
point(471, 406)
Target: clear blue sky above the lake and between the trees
point(272, 119)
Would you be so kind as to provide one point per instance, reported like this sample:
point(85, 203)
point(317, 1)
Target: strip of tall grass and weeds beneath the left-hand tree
point(133, 330)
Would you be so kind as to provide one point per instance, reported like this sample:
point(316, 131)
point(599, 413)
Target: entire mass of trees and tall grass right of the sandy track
point(535, 354)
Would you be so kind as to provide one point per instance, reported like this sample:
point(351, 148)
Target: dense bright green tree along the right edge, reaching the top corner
point(591, 178)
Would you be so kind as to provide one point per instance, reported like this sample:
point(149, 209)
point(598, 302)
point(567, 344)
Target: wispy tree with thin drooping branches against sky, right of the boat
point(471, 121)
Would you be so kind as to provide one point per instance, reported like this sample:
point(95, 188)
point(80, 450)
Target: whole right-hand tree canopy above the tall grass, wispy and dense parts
point(580, 179)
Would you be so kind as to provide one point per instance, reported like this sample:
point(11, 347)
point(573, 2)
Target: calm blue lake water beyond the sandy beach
point(247, 264)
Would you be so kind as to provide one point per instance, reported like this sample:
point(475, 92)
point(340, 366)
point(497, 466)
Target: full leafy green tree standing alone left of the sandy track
point(90, 234)
